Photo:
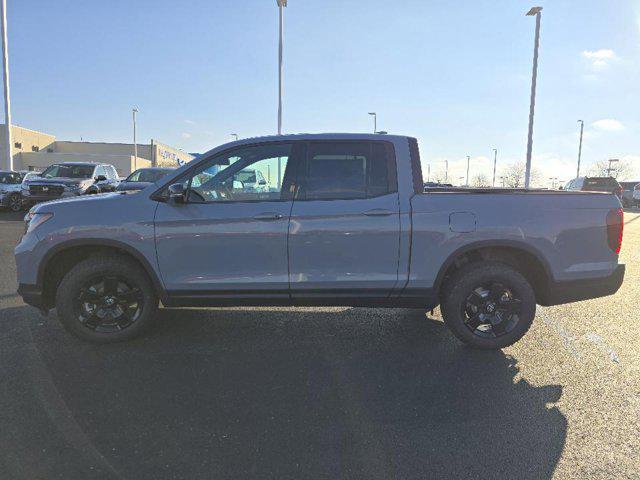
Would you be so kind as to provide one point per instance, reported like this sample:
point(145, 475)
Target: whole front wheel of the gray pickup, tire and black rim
point(106, 299)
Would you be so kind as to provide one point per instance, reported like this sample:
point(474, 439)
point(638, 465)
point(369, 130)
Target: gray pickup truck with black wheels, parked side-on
point(345, 221)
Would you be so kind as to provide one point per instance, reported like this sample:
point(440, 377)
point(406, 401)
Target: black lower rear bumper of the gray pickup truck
point(575, 290)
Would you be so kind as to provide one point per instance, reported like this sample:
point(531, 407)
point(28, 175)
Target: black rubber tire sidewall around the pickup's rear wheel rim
point(469, 278)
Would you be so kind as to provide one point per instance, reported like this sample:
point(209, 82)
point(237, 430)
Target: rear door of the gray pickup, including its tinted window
point(344, 230)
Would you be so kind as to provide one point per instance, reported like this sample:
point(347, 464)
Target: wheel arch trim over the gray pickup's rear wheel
point(525, 259)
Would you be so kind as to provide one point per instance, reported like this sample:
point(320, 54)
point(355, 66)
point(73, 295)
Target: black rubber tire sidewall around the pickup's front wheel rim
point(90, 268)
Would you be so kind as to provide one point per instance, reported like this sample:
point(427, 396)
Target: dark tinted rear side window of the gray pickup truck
point(348, 170)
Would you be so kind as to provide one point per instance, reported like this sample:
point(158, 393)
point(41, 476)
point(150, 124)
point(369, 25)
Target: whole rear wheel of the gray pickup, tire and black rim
point(482, 287)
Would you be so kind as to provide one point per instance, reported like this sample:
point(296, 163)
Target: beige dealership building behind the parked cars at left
point(33, 150)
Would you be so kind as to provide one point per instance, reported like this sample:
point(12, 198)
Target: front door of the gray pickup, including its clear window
point(229, 238)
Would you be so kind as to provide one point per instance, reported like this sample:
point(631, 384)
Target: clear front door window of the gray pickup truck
point(254, 173)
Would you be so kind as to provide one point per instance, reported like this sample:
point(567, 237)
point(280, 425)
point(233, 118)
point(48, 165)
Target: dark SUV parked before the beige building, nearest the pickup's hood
point(70, 179)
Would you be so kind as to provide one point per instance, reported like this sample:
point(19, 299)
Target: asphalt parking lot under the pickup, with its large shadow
point(322, 393)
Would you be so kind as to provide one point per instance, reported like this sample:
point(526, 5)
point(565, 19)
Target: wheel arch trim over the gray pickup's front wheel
point(60, 260)
